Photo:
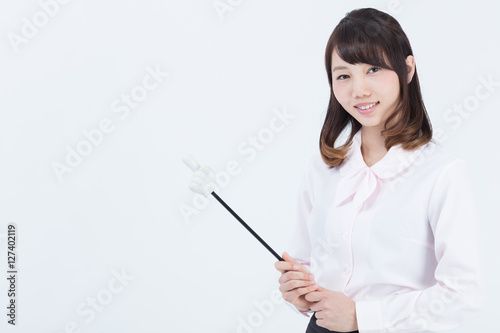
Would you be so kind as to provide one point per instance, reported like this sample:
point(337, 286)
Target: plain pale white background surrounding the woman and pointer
point(119, 210)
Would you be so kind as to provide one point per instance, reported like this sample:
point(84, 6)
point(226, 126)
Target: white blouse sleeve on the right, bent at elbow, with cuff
point(458, 293)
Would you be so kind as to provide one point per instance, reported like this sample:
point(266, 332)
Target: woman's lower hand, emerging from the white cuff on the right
point(334, 310)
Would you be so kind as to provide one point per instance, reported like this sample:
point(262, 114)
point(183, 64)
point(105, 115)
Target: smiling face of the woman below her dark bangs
point(369, 93)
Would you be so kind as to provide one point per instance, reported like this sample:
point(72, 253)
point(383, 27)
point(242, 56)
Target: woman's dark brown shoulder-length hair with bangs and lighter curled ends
point(370, 36)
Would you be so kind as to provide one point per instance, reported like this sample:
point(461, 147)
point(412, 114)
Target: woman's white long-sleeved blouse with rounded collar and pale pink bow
point(400, 238)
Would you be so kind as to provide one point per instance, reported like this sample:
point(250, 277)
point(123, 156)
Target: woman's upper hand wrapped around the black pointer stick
point(295, 282)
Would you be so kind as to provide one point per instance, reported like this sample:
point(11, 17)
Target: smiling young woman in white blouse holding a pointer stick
point(386, 237)
